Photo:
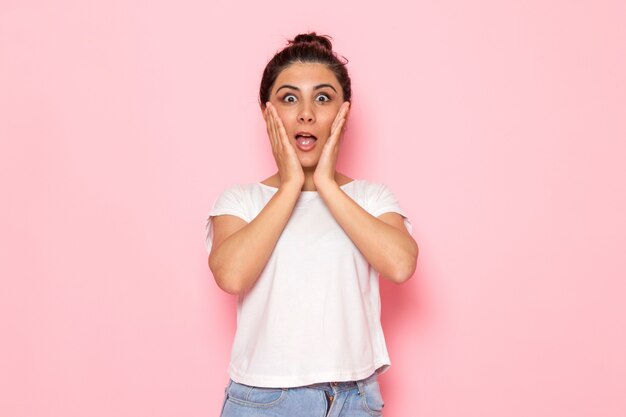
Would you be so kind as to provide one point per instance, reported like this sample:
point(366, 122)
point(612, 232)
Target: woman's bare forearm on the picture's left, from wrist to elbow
point(238, 261)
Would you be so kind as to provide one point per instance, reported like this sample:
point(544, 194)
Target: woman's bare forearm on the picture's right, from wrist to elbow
point(390, 251)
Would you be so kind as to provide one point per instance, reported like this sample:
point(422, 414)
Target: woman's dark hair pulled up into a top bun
point(305, 48)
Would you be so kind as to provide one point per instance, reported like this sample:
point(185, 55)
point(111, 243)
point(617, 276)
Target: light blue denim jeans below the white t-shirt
point(335, 399)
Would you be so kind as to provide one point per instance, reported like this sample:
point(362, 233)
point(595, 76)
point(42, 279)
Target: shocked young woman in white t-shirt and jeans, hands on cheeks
point(302, 249)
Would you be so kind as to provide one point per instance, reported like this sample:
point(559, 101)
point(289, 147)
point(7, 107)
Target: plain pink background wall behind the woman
point(500, 128)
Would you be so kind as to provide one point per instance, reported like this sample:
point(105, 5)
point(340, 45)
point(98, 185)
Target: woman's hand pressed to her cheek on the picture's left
point(289, 167)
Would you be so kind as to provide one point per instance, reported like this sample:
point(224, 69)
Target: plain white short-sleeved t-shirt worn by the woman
point(313, 315)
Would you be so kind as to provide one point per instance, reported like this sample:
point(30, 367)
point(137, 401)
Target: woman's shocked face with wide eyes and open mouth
point(307, 97)
